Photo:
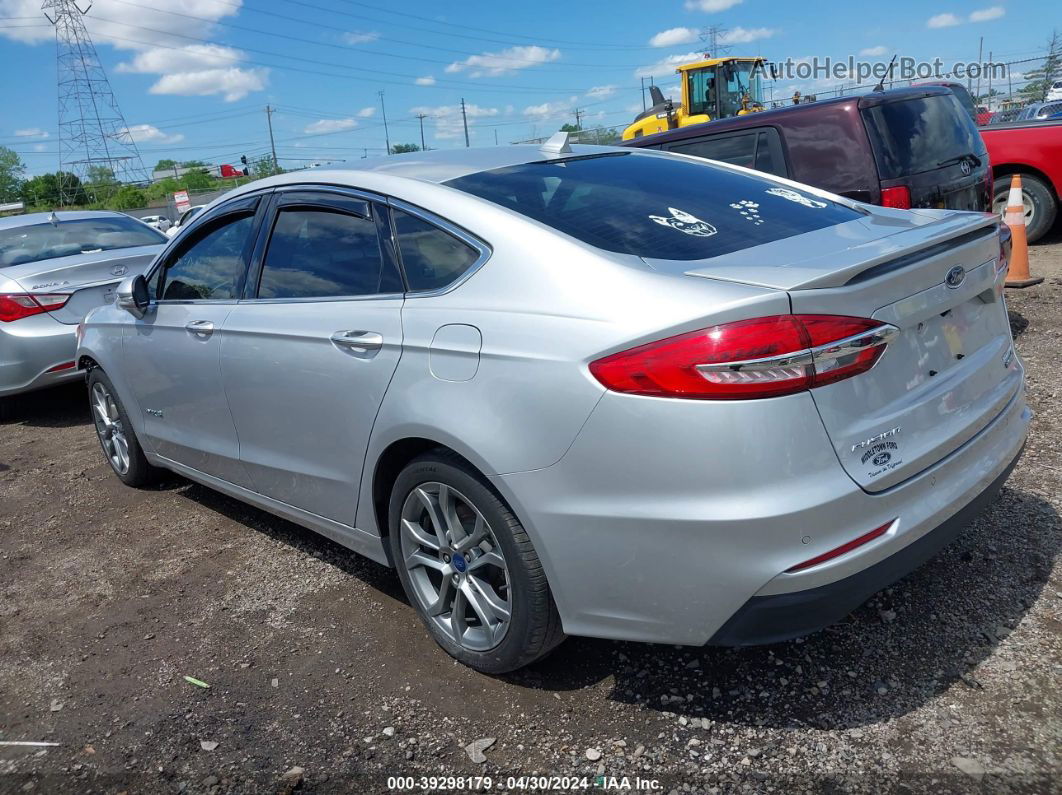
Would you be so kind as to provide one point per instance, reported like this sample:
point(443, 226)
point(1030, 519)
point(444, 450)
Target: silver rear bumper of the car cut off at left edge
point(30, 348)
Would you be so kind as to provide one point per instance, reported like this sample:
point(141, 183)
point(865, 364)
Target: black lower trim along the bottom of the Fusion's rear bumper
point(781, 617)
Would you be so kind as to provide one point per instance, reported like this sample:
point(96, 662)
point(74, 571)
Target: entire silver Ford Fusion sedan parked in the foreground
point(578, 390)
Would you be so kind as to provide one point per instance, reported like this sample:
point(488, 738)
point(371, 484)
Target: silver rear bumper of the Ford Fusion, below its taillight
point(666, 520)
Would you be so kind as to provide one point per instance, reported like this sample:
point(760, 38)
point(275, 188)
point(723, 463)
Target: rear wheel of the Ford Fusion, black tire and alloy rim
point(459, 565)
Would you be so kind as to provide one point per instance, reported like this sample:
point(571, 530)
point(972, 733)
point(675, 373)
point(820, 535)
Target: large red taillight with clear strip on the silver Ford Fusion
point(766, 357)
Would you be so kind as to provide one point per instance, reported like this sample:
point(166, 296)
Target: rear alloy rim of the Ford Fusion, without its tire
point(457, 568)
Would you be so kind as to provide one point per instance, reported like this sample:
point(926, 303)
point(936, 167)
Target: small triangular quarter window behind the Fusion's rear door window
point(433, 258)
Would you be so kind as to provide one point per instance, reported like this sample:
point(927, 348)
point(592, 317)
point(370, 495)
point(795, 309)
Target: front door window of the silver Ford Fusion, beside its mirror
point(211, 269)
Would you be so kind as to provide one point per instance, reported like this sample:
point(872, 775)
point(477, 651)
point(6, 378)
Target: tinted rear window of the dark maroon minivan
point(920, 134)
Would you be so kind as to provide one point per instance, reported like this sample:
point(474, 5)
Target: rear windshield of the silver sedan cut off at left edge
point(39, 243)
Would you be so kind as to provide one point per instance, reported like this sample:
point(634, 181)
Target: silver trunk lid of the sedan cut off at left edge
point(90, 279)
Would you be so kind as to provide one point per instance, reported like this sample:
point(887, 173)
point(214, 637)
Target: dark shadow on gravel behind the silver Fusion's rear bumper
point(911, 643)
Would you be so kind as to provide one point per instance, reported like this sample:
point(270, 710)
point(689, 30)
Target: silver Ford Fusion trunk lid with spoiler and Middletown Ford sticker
point(951, 370)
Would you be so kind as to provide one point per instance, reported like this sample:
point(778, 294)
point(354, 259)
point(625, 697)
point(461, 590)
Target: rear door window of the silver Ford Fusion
point(324, 254)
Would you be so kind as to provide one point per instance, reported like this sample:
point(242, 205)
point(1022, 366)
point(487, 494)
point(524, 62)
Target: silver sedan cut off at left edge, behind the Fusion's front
point(55, 268)
